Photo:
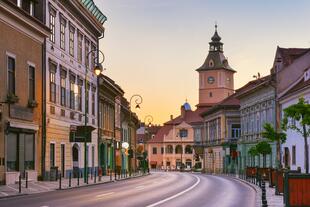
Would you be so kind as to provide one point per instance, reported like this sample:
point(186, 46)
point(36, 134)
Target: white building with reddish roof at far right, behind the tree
point(293, 149)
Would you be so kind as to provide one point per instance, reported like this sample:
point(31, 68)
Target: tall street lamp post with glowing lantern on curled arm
point(97, 70)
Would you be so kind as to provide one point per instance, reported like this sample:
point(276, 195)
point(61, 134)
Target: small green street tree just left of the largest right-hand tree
point(274, 136)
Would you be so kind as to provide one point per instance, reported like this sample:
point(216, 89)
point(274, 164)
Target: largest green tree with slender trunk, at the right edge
point(300, 113)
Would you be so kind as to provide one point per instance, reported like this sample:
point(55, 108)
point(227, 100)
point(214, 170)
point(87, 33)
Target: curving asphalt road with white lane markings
point(171, 189)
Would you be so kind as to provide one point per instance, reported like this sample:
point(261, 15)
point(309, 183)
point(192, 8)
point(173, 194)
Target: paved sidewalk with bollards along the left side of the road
point(46, 186)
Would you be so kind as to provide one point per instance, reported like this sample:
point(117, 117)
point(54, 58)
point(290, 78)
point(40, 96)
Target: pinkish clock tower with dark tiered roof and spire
point(216, 77)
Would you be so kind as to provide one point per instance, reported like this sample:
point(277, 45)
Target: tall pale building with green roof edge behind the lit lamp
point(76, 27)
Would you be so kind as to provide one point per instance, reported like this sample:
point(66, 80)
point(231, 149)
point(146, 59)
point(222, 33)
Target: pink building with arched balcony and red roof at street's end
point(173, 144)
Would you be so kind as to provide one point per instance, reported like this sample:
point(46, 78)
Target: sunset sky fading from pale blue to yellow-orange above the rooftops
point(152, 47)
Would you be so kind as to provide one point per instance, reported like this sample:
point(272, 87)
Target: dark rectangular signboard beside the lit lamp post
point(78, 133)
